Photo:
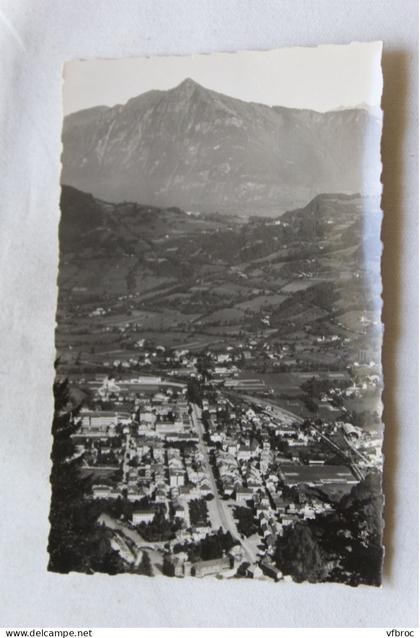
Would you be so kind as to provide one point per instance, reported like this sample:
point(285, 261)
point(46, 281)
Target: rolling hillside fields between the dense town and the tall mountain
point(201, 283)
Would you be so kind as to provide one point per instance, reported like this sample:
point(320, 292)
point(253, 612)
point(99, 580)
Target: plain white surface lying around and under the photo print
point(36, 37)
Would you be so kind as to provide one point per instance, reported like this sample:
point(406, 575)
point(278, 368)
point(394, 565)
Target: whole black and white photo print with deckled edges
point(218, 385)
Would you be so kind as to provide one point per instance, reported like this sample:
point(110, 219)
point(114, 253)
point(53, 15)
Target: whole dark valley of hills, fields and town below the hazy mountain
point(221, 390)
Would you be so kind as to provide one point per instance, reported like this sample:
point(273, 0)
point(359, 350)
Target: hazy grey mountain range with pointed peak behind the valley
point(203, 151)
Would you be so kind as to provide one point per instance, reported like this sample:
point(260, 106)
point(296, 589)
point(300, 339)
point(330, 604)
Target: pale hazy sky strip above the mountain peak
point(322, 78)
